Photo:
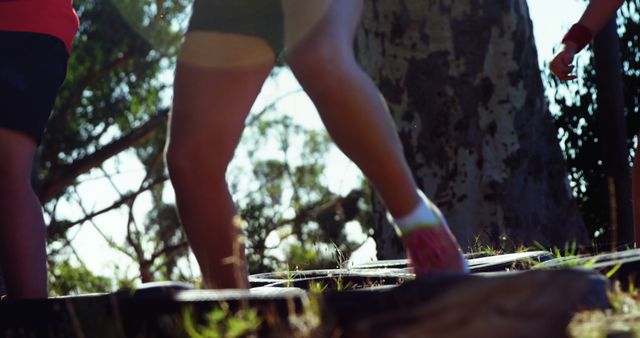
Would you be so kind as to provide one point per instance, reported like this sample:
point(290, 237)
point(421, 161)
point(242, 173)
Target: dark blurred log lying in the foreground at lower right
point(527, 304)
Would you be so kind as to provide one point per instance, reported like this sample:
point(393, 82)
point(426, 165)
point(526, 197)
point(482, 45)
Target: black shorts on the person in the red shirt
point(32, 68)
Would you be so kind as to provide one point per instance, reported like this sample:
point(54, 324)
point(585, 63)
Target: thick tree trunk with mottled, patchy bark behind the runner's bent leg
point(463, 85)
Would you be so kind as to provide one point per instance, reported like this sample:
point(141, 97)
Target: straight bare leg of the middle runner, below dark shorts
point(213, 94)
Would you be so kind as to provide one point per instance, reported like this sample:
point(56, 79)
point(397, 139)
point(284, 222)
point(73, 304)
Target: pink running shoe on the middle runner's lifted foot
point(432, 249)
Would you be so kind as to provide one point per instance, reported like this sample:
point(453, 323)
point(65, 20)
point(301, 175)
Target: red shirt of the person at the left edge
point(52, 17)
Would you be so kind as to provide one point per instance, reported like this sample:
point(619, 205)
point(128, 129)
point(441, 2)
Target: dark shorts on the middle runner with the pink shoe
point(261, 18)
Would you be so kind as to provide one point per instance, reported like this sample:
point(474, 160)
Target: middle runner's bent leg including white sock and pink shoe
point(321, 56)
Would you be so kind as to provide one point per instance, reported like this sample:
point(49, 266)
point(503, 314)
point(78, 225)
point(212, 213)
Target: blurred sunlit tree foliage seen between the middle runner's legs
point(289, 197)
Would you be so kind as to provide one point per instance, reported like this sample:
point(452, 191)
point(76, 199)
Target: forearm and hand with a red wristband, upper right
point(597, 14)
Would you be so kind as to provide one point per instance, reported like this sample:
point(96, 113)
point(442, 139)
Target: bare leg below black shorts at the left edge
point(22, 230)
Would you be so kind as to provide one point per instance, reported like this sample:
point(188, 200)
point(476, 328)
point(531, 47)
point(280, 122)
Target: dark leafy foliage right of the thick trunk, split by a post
point(577, 125)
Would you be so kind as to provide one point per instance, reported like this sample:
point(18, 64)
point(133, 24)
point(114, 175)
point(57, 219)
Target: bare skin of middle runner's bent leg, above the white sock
point(350, 105)
